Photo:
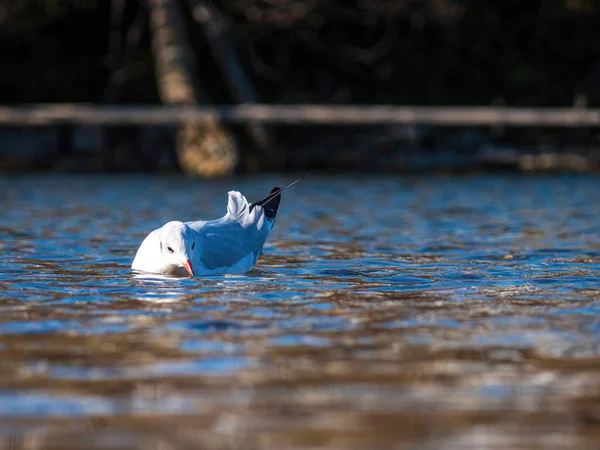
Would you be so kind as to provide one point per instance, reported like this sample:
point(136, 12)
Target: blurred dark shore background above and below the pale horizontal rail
point(363, 52)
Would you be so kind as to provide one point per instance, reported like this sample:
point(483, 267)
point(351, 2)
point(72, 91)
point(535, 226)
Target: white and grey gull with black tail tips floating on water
point(229, 245)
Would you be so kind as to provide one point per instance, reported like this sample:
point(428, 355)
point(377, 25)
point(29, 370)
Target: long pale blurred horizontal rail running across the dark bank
point(57, 114)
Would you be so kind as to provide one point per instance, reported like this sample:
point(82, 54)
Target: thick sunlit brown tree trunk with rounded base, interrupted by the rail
point(204, 149)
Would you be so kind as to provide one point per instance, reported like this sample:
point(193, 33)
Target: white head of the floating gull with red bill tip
point(178, 244)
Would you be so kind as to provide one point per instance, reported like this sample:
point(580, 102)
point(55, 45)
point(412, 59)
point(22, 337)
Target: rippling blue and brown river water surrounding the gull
point(425, 312)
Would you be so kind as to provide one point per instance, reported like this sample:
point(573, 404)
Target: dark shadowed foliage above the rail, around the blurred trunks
point(403, 51)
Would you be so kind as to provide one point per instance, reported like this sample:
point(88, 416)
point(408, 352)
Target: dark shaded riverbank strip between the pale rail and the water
point(396, 149)
